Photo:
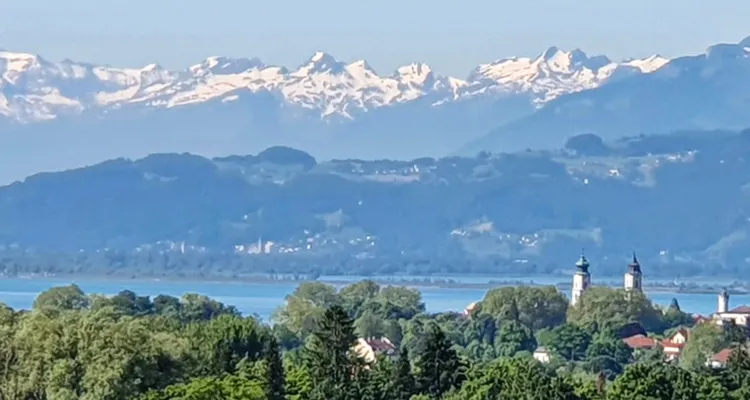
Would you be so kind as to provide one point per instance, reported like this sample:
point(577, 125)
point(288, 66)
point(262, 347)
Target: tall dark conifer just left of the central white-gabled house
point(329, 358)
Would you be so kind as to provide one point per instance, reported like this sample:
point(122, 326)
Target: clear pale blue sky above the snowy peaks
point(451, 36)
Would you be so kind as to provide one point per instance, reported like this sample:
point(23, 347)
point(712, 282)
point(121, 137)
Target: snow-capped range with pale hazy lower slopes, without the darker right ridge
point(68, 114)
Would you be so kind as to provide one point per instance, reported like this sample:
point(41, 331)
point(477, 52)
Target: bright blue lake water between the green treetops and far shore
point(263, 298)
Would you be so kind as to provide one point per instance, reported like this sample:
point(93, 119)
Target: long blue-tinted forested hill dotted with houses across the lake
point(680, 200)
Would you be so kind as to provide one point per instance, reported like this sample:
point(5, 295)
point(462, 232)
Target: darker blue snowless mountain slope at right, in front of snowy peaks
point(706, 91)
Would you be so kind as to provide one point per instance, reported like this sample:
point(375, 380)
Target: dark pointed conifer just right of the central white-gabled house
point(438, 367)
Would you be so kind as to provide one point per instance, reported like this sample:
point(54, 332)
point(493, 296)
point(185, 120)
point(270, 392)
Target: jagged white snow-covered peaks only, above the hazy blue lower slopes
point(34, 89)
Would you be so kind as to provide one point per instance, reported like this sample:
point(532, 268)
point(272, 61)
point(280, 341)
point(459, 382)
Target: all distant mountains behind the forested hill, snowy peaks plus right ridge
point(58, 115)
